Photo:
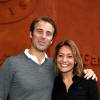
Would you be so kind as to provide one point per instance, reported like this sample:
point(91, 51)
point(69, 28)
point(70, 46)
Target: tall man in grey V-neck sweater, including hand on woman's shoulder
point(30, 76)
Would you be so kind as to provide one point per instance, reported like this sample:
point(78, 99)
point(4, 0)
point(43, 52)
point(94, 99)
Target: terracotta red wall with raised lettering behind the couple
point(78, 20)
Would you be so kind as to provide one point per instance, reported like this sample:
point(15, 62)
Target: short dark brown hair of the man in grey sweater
point(43, 18)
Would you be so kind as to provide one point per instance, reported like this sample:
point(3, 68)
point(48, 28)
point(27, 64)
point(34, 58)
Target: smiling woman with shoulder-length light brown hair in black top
point(70, 83)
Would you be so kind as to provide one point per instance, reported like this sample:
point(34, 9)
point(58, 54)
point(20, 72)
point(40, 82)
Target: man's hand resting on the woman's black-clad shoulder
point(89, 73)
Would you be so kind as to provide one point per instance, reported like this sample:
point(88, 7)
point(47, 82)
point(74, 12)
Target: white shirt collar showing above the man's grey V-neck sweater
point(33, 57)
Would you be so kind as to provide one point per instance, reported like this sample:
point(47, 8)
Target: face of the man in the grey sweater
point(42, 35)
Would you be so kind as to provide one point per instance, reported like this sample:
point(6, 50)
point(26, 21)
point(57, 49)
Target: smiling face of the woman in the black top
point(65, 59)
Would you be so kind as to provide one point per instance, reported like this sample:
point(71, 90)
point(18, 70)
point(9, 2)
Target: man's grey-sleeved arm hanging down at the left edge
point(5, 79)
